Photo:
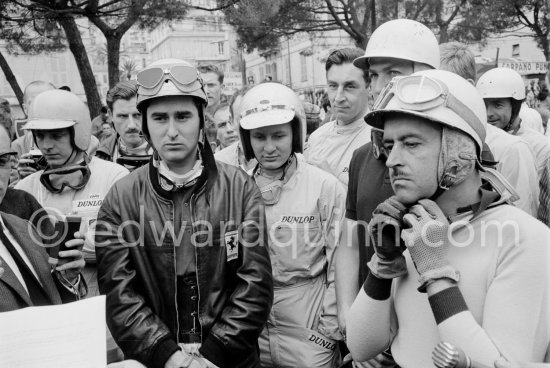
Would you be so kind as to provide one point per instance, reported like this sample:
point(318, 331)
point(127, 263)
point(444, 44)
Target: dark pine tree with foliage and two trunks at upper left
point(112, 17)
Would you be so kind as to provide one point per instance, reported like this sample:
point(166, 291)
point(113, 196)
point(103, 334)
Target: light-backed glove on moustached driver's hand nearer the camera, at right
point(427, 238)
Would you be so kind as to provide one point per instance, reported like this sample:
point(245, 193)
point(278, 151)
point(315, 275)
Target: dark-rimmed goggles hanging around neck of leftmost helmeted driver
point(74, 176)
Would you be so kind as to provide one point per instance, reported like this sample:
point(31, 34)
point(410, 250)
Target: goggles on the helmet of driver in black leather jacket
point(185, 78)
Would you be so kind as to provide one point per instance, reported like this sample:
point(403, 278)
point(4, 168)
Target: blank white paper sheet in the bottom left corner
point(62, 336)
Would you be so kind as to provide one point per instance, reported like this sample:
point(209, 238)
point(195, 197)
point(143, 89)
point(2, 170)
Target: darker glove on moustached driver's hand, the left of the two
point(385, 226)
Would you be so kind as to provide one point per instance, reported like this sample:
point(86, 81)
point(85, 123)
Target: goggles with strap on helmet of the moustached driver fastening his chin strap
point(422, 93)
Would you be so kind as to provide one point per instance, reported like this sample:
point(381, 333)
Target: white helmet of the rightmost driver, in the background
point(501, 83)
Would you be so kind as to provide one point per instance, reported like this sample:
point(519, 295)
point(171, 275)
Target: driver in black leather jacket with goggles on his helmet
point(191, 286)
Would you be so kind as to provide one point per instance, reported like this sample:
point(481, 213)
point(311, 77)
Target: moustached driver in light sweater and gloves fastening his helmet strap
point(454, 260)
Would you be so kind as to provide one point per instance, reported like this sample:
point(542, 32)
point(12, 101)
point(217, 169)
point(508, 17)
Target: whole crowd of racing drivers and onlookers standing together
point(246, 233)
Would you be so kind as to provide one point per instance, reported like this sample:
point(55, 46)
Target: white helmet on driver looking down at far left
point(58, 109)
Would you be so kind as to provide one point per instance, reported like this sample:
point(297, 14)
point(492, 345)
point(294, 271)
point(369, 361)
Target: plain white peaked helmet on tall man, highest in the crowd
point(402, 39)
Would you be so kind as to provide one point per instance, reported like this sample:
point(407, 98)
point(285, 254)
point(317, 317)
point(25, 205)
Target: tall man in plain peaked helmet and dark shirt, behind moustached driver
point(396, 48)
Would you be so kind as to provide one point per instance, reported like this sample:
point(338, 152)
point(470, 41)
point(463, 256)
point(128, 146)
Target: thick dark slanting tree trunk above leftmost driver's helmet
point(83, 64)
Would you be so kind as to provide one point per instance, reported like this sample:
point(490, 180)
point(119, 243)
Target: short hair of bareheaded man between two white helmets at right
point(456, 57)
